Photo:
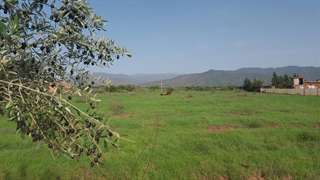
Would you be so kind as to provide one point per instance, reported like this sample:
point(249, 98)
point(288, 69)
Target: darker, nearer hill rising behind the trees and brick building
point(236, 77)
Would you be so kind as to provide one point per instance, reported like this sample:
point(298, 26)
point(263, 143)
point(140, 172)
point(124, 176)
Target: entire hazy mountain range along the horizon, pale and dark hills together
point(213, 77)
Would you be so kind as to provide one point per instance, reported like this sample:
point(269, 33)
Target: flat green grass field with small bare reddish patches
point(189, 135)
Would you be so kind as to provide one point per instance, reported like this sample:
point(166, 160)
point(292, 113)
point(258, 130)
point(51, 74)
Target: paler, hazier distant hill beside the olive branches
point(136, 79)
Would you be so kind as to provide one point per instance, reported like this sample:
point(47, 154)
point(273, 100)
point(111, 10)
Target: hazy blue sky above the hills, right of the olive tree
point(183, 36)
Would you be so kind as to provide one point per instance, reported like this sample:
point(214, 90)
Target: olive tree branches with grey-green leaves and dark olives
point(43, 42)
